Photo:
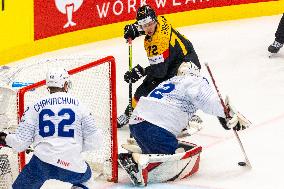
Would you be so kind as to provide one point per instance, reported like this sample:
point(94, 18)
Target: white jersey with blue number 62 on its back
point(60, 128)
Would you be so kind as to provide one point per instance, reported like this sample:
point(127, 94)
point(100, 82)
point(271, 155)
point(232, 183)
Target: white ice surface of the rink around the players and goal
point(237, 53)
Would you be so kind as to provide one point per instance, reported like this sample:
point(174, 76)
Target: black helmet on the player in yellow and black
point(145, 14)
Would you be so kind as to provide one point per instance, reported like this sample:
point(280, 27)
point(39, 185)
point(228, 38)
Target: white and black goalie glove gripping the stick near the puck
point(236, 120)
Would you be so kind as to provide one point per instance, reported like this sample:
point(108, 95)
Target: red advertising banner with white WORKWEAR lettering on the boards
point(62, 16)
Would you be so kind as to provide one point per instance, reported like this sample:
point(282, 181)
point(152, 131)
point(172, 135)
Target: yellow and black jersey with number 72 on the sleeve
point(166, 50)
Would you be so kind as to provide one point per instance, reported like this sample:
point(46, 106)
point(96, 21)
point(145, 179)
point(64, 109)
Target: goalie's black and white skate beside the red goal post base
point(126, 161)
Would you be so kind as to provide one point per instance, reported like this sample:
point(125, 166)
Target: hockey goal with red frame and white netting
point(93, 82)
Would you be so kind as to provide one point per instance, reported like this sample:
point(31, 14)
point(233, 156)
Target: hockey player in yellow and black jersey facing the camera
point(166, 50)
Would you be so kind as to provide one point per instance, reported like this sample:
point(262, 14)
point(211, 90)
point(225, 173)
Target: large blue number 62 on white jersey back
point(47, 127)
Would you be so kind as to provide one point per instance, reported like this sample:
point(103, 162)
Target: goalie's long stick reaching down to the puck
point(227, 114)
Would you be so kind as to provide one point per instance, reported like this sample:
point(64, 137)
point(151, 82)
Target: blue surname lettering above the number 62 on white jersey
point(54, 101)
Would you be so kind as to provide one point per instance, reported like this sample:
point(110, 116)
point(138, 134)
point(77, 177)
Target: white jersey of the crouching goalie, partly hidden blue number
point(172, 103)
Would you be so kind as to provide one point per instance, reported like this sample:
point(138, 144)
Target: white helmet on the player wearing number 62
point(57, 78)
